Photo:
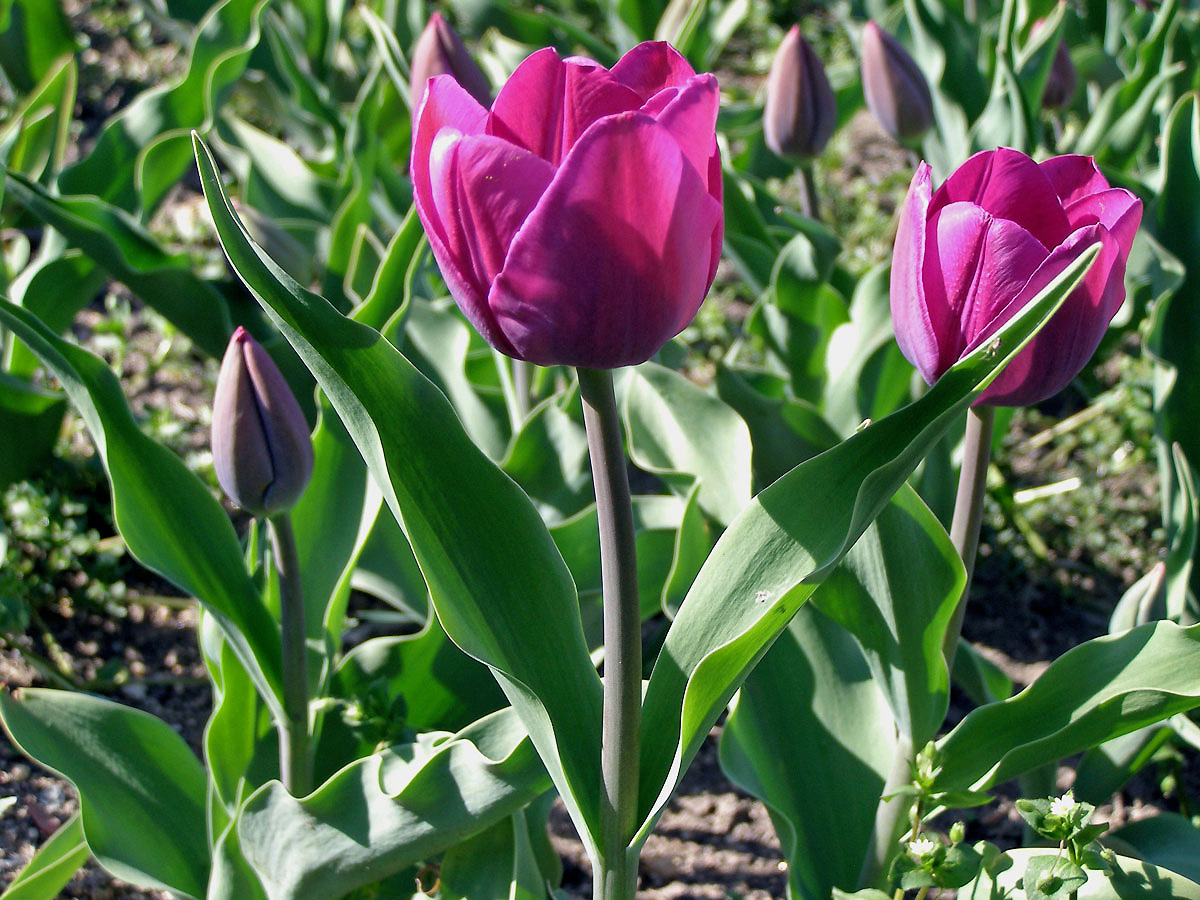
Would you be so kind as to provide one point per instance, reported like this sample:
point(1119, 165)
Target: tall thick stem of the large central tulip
point(616, 874)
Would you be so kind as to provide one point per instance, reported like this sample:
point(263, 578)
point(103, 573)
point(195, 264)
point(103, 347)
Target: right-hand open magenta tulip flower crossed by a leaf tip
point(973, 254)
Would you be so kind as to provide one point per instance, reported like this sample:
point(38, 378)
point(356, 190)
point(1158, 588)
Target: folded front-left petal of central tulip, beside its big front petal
point(484, 189)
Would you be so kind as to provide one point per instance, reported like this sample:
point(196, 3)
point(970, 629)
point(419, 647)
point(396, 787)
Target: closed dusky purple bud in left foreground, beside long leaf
point(262, 451)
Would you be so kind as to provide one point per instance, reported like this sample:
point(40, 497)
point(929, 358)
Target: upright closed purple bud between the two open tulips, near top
point(801, 112)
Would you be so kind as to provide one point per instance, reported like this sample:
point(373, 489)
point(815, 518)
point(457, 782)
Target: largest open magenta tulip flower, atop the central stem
point(579, 221)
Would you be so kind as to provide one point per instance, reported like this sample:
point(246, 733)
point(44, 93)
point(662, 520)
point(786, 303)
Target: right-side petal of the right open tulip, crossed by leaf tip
point(1067, 343)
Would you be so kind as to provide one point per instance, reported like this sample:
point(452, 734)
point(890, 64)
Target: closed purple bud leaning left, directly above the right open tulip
point(895, 87)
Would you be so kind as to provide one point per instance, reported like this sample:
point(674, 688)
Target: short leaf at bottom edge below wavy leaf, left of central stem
point(497, 865)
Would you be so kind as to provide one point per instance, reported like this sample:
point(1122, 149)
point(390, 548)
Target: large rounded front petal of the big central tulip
point(615, 260)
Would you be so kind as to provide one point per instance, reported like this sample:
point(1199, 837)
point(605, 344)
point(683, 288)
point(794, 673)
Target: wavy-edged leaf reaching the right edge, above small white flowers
point(1094, 693)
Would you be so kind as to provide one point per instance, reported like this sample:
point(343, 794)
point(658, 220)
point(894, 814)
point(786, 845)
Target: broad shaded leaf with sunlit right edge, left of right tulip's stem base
point(811, 735)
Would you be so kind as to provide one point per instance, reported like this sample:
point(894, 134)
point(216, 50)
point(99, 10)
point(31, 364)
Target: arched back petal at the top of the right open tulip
point(1009, 185)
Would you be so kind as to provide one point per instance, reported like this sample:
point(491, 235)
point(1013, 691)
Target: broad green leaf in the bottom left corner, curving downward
point(141, 789)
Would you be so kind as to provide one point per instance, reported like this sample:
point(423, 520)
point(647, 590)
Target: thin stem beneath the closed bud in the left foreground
point(296, 765)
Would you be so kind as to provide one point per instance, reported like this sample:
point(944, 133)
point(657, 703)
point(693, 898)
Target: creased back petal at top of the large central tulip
point(549, 103)
